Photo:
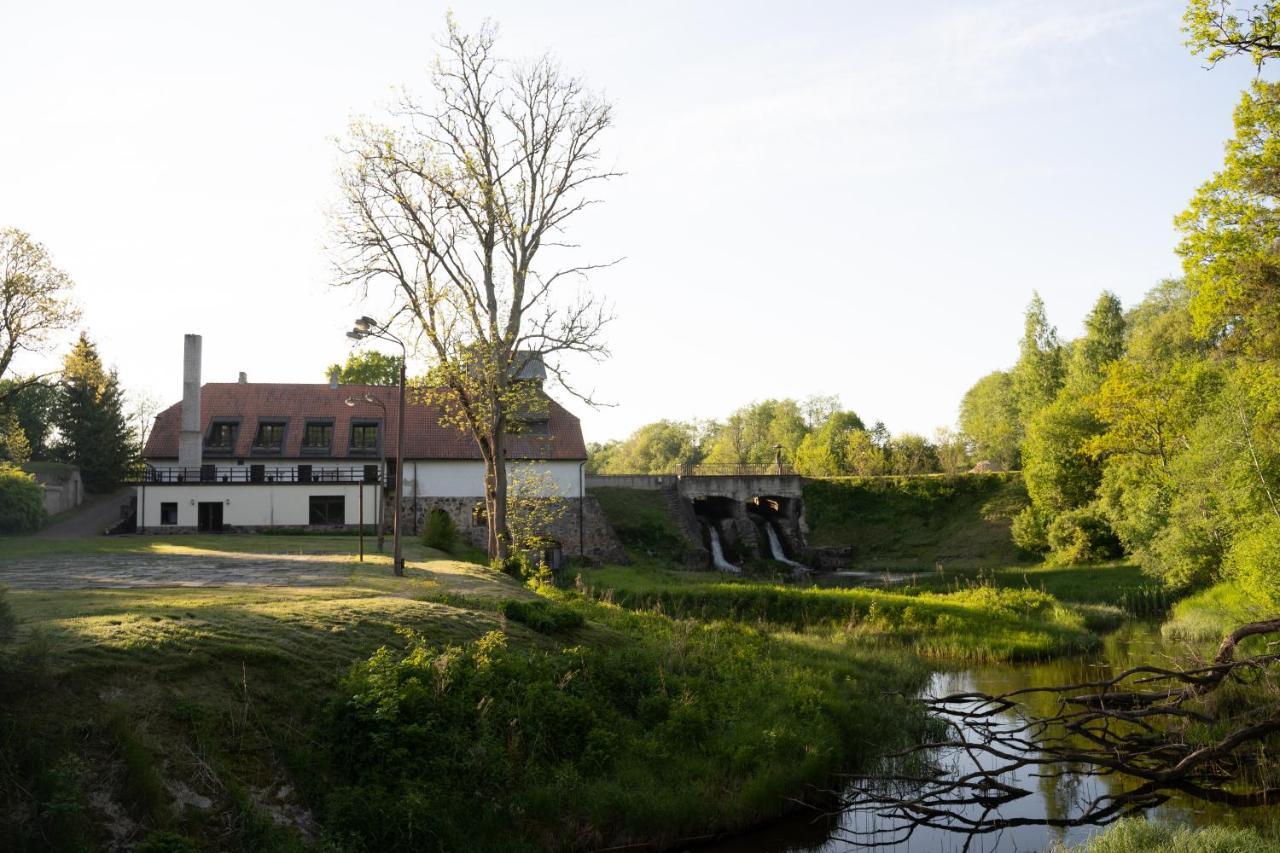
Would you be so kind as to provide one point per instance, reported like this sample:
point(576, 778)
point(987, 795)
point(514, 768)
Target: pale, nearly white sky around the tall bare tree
point(821, 198)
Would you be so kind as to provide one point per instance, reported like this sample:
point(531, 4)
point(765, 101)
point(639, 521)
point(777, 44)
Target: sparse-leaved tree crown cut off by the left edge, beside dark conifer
point(35, 302)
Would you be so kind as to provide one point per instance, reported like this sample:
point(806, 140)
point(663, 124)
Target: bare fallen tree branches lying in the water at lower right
point(1150, 732)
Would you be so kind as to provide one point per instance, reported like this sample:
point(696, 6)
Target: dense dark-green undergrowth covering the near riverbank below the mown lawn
point(678, 728)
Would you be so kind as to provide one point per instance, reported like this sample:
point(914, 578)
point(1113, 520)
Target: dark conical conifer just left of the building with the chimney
point(90, 418)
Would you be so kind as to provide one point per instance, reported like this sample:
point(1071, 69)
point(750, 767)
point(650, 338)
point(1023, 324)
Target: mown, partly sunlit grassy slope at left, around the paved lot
point(129, 696)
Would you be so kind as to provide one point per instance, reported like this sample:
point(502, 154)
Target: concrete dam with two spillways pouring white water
point(729, 519)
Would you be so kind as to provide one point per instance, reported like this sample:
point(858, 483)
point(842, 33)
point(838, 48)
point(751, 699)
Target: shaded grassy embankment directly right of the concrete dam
point(915, 523)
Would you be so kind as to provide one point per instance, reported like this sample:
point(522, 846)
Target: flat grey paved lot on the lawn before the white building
point(134, 571)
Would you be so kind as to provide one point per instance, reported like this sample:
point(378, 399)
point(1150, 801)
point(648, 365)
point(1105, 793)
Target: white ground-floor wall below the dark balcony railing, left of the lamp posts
point(253, 505)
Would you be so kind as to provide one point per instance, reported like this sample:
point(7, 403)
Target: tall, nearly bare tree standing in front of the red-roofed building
point(459, 207)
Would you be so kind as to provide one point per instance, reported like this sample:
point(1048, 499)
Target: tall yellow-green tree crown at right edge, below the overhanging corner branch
point(1231, 234)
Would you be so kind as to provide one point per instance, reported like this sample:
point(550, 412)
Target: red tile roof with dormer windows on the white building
point(296, 404)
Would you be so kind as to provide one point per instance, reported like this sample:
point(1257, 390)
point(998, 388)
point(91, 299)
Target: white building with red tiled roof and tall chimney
point(254, 457)
